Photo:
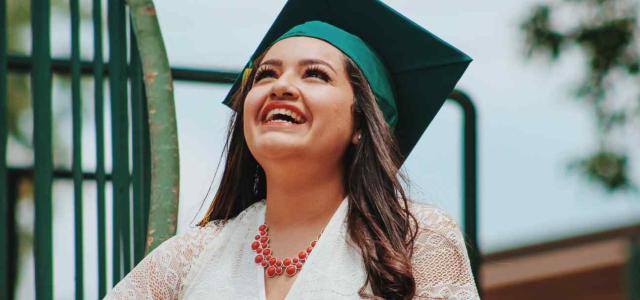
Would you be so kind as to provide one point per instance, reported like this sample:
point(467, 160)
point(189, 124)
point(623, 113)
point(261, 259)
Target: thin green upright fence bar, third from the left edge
point(77, 145)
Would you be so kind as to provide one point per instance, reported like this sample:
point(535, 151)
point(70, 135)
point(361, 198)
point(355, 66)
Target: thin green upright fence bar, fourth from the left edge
point(98, 73)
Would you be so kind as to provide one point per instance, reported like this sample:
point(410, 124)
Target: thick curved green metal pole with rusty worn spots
point(165, 168)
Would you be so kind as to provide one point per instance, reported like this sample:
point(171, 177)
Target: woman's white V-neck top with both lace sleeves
point(216, 262)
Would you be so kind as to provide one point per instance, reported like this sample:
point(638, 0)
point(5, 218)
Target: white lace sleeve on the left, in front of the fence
point(159, 275)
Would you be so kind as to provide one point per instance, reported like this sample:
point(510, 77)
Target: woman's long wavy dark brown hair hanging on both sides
point(378, 220)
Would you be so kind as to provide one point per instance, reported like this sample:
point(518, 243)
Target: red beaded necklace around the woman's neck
point(274, 266)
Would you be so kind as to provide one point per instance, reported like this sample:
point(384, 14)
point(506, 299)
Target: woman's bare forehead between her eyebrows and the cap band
point(298, 48)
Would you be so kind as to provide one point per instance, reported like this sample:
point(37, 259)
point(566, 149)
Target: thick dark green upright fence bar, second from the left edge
point(42, 145)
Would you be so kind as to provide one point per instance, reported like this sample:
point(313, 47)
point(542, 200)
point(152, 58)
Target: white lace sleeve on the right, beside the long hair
point(440, 259)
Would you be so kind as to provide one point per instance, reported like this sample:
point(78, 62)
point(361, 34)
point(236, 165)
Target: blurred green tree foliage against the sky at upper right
point(606, 32)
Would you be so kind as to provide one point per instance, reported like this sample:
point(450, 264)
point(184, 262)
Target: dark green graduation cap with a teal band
point(410, 70)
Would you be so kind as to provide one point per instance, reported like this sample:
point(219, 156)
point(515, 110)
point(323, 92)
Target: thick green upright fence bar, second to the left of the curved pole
point(120, 137)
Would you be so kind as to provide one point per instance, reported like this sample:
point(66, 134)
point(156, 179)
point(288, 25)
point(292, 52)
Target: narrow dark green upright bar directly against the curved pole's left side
point(138, 128)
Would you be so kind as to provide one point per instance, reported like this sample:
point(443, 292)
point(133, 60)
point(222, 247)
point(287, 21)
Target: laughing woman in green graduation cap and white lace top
point(310, 205)
